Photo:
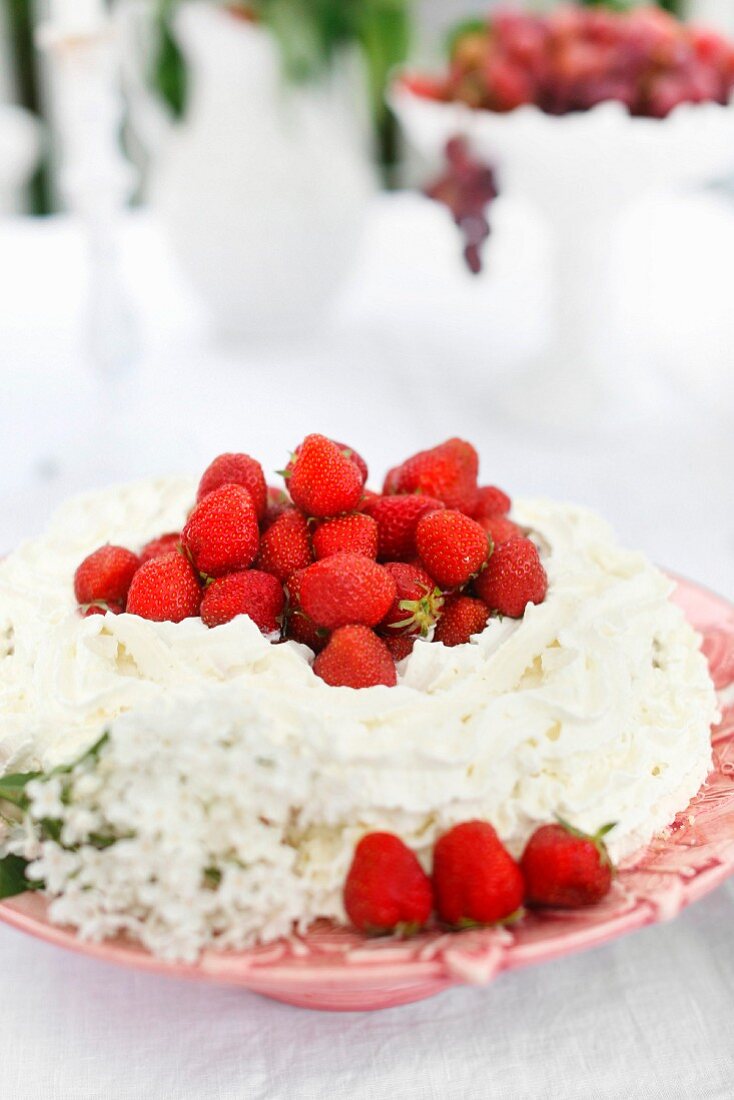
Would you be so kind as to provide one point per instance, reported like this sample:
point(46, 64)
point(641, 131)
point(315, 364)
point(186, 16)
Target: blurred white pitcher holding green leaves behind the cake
point(264, 188)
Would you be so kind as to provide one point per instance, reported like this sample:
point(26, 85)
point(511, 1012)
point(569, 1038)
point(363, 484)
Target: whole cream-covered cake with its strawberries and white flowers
point(229, 710)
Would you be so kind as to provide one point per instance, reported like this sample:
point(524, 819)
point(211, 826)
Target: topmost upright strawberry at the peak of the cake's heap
point(323, 481)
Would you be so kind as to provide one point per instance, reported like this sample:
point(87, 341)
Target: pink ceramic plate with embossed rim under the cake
point(334, 969)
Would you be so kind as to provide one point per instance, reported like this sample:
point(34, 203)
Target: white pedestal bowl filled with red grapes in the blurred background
point(580, 112)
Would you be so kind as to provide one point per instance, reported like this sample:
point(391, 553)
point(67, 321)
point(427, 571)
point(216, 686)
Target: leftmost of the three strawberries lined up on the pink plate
point(387, 889)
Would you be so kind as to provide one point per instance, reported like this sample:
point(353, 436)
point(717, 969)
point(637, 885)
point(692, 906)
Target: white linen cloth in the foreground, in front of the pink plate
point(649, 1018)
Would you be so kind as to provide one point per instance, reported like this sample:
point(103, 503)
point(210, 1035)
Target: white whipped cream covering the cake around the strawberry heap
point(596, 707)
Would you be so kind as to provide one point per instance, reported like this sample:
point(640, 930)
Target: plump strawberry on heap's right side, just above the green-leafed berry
point(452, 546)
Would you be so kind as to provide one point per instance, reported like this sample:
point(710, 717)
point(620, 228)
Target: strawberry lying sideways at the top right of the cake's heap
point(447, 472)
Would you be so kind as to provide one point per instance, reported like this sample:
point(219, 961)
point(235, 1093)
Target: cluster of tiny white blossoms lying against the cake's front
point(201, 820)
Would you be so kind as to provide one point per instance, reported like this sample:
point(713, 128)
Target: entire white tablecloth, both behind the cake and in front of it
point(413, 355)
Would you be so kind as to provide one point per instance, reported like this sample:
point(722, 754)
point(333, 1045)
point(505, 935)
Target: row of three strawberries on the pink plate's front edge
point(475, 881)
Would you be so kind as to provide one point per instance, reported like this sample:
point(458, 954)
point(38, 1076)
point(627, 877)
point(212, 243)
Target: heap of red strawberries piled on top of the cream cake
point(355, 575)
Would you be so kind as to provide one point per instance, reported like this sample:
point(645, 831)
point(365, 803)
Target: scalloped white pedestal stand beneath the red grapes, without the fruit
point(580, 171)
